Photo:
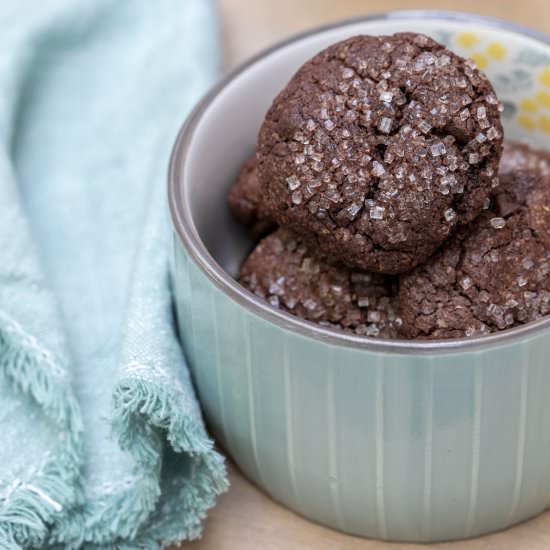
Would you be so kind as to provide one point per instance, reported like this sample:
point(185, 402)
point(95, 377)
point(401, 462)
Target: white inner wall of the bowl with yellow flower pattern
point(518, 65)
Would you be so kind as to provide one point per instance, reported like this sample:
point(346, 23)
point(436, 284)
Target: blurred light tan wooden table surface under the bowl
point(245, 518)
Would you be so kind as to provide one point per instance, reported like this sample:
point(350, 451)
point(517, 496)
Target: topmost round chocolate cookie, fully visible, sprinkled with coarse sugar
point(379, 147)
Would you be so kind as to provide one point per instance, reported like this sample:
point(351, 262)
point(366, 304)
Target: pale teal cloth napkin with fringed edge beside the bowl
point(102, 441)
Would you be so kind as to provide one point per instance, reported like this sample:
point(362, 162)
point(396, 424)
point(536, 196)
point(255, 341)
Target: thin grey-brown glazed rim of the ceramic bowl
point(185, 229)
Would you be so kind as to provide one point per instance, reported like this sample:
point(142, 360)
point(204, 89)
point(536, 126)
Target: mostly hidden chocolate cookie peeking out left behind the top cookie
point(246, 202)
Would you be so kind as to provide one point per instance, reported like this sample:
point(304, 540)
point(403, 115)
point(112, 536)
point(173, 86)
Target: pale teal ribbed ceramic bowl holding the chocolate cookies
point(401, 440)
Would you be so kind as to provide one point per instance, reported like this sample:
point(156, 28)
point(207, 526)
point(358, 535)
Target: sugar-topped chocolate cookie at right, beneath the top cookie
point(493, 274)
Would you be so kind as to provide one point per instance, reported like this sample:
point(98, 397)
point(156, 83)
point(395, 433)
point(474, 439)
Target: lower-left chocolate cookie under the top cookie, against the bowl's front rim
point(283, 271)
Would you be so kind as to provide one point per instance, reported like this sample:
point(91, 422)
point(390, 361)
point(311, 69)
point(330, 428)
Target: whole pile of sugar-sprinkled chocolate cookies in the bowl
point(387, 202)
